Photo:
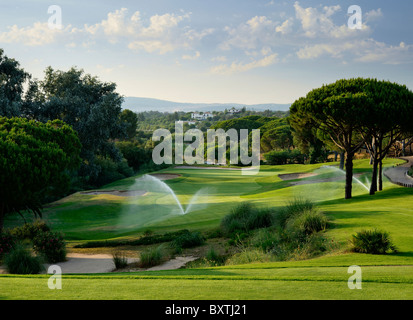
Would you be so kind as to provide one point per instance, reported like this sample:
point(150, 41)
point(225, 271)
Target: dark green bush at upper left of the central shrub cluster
point(246, 217)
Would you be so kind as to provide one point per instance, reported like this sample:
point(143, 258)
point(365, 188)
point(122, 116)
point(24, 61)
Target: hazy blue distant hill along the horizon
point(147, 104)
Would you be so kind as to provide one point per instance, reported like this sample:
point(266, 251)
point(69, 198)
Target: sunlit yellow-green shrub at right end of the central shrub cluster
point(308, 222)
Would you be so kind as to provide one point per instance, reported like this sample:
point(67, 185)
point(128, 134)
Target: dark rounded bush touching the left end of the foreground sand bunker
point(51, 246)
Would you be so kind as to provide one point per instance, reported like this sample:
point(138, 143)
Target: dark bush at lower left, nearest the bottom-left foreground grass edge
point(20, 261)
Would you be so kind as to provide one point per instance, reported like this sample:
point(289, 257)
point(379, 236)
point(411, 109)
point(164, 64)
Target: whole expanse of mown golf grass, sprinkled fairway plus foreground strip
point(87, 217)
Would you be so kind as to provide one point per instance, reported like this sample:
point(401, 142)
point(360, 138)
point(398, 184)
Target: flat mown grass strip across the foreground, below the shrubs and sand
point(220, 284)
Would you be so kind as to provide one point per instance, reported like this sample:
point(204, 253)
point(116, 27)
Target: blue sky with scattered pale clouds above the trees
point(213, 51)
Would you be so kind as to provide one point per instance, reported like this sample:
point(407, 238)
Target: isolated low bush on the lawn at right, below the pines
point(372, 241)
